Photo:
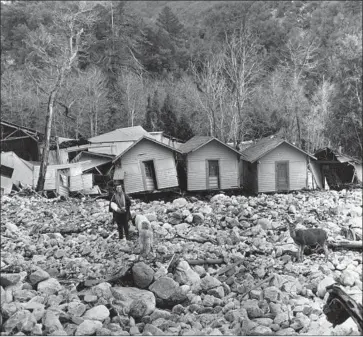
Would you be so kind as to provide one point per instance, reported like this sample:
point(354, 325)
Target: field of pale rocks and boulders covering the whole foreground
point(49, 246)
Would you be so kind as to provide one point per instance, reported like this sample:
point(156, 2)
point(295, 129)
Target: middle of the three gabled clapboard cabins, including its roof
point(210, 164)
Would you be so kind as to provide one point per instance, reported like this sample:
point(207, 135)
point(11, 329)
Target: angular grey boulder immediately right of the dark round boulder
point(167, 292)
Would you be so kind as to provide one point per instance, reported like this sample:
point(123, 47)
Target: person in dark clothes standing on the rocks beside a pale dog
point(120, 207)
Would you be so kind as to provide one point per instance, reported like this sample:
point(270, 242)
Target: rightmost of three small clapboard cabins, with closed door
point(274, 165)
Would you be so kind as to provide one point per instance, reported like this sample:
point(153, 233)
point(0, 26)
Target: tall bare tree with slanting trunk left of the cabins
point(54, 53)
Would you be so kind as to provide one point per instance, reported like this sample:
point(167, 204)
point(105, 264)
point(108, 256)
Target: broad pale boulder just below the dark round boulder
point(126, 295)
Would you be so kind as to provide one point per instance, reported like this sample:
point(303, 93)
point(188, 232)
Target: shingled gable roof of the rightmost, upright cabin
point(264, 146)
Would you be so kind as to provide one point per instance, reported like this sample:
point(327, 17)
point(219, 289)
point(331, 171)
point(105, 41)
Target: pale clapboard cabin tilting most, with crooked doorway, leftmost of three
point(146, 166)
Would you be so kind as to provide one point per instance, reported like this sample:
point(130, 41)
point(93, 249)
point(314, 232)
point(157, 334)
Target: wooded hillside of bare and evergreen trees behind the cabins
point(236, 70)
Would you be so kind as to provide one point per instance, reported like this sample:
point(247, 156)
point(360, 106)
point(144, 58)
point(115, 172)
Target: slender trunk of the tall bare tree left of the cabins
point(48, 130)
